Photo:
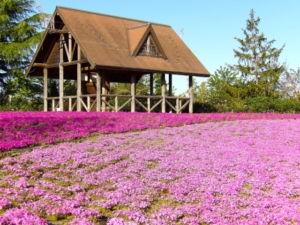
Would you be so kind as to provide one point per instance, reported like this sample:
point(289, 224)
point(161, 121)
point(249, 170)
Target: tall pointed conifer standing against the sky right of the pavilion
point(258, 59)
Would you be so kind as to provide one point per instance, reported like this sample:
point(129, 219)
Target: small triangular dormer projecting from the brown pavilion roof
point(144, 42)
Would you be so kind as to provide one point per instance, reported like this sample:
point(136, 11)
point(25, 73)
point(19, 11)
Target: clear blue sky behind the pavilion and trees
point(209, 25)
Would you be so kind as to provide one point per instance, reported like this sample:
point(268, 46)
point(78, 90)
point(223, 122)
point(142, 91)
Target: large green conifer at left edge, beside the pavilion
point(19, 35)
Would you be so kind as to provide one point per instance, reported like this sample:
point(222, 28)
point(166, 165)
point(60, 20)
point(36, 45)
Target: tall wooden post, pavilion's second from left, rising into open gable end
point(61, 75)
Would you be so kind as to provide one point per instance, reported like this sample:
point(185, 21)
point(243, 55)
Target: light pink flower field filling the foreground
point(232, 172)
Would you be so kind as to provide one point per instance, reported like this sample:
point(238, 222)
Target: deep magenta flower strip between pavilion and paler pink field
point(22, 129)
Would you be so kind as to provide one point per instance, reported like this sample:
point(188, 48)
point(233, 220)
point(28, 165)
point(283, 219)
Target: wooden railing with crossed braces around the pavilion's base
point(89, 101)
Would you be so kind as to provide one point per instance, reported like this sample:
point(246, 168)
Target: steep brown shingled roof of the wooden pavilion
point(112, 42)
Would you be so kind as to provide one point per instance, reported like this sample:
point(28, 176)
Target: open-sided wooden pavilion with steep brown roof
point(95, 49)
